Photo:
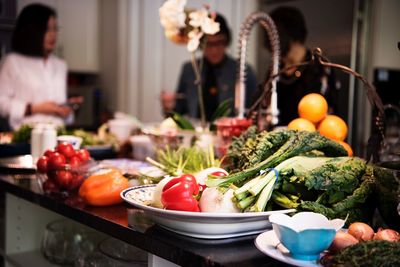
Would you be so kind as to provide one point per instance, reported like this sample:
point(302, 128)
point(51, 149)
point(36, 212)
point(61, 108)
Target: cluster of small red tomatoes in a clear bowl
point(59, 165)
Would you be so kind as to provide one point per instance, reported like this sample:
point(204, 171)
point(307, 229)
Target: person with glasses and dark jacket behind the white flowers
point(218, 78)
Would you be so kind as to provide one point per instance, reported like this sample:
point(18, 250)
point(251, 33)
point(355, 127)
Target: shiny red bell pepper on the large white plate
point(180, 194)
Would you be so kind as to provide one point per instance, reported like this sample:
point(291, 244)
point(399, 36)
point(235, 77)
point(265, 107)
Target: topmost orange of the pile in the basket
point(313, 107)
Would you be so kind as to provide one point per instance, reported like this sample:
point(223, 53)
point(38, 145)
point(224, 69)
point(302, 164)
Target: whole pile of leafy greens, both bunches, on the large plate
point(301, 170)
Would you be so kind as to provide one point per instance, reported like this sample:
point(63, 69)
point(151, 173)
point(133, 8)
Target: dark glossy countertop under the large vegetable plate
point(139, 231)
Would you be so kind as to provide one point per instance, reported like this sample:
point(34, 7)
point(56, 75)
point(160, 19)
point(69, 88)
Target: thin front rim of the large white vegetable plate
point(204, 215)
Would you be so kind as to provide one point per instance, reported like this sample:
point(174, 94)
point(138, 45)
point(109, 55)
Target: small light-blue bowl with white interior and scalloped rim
point(306, 234)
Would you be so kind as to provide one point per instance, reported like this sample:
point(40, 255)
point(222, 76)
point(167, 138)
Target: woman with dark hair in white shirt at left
point(32, 80)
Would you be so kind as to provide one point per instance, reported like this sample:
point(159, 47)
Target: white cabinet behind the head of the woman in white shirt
point(78, 38)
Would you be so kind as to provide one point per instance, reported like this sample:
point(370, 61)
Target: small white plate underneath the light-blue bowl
point(269, 244)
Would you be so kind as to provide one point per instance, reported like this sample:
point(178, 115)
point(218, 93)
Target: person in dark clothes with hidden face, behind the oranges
point(294, 84)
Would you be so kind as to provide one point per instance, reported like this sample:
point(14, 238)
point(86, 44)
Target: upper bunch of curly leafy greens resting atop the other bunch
point(280, 145)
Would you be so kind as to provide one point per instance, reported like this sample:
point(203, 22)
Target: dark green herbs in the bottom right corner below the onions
point(366, 254)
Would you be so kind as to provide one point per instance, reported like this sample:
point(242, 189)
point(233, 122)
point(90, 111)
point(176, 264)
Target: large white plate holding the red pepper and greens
point(199, 224)
